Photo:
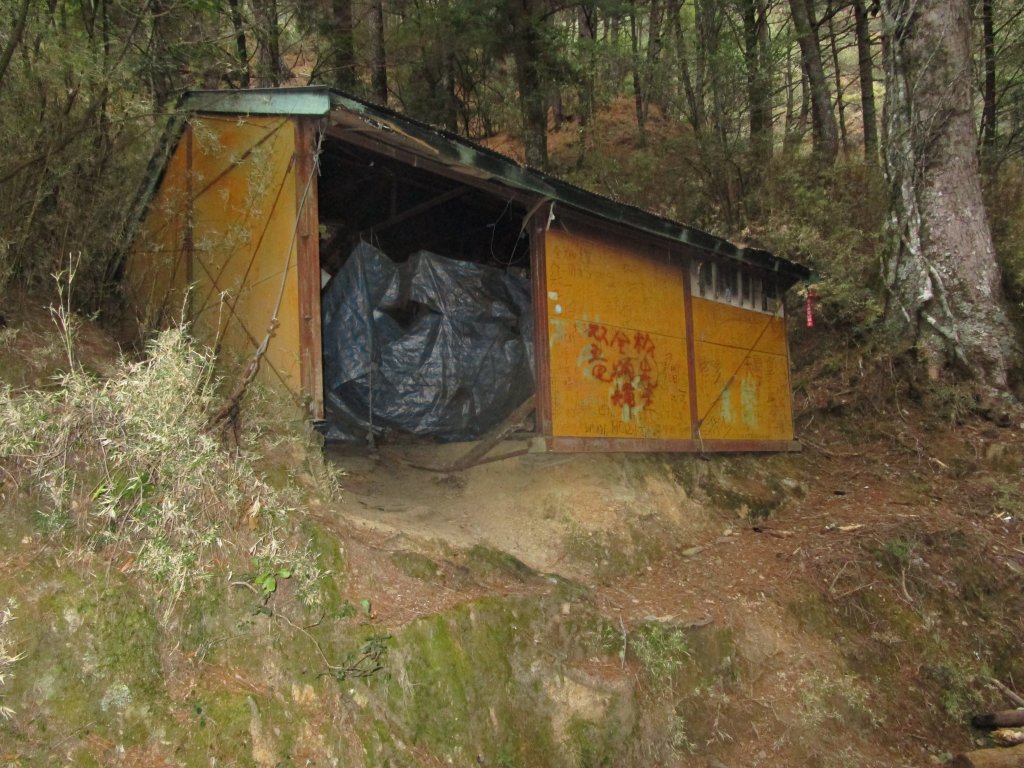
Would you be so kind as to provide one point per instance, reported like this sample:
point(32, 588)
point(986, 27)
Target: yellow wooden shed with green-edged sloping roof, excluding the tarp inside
point(650, 335)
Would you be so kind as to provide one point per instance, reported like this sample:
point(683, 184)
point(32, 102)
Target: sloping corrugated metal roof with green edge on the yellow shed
point(457, 151)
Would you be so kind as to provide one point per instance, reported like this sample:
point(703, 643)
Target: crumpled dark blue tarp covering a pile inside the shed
point(434, 348)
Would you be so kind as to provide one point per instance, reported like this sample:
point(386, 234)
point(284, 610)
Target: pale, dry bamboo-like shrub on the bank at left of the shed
point(125, 467)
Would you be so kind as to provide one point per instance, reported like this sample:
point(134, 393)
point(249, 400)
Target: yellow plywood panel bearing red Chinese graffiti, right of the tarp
point(617, 331)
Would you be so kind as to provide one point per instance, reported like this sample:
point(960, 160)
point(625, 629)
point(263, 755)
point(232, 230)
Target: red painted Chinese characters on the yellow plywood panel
point(624, 361)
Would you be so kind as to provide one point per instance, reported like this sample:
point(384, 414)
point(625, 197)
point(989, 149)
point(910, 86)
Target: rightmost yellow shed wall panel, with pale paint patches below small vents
point(743, 373)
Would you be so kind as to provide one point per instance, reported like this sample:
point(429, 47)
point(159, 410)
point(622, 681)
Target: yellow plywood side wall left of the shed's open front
point(243, 188)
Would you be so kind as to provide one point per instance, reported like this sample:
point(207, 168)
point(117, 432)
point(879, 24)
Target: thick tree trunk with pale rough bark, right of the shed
point(941, 266)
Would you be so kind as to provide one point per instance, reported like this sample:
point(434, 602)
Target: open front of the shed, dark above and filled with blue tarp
point(426, 308)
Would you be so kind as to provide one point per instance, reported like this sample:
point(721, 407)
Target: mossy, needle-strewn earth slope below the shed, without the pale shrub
point(846, 606)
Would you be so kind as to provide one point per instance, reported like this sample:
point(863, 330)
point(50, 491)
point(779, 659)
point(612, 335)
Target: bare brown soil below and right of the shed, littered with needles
point(872, 583)
